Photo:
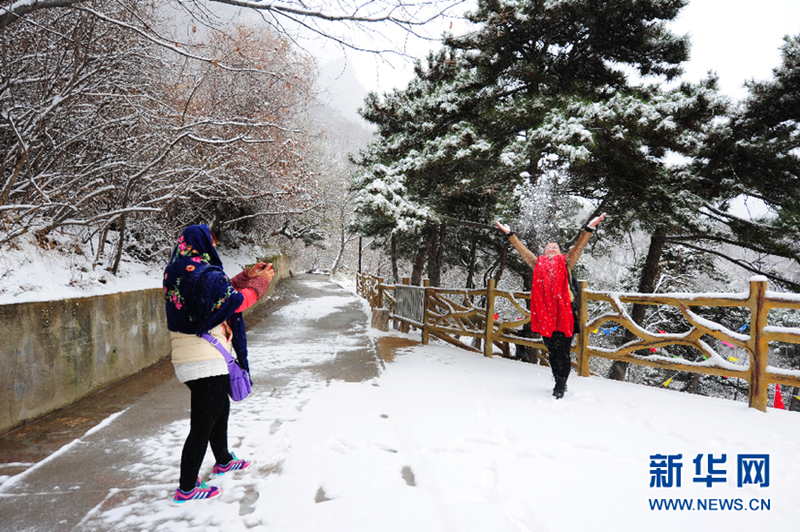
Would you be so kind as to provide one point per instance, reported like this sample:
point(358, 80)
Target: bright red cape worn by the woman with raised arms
point(551, 308)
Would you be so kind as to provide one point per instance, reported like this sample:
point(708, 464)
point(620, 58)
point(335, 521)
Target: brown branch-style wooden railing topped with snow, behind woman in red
point(452, 314)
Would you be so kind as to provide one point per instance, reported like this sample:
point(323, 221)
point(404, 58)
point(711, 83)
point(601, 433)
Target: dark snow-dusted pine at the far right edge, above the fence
point(757, 153)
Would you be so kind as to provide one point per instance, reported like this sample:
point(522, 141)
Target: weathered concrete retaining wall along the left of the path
point(54, 353)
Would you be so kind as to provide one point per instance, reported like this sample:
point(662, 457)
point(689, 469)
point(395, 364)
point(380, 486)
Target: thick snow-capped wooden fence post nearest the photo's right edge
point(759, 346)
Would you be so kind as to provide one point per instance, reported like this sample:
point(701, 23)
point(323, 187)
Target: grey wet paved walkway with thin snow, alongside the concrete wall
point(91, 473)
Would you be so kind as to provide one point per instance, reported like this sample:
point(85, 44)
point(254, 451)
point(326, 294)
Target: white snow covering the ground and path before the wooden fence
point(440, 439)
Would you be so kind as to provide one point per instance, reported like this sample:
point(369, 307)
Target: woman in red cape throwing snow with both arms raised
point(551, 298)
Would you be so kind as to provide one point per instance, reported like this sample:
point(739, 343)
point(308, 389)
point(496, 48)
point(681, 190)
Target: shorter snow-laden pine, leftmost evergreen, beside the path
point(428, 168)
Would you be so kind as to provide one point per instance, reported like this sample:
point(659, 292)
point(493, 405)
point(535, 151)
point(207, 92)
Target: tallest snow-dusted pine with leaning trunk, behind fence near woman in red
point(562, 67)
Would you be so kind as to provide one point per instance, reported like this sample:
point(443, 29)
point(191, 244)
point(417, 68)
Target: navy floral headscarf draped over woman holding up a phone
point(199, 296)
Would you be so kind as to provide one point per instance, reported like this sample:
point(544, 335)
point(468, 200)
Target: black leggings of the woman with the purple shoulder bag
point(209, 424)
